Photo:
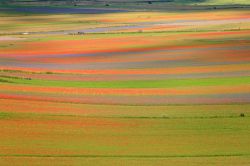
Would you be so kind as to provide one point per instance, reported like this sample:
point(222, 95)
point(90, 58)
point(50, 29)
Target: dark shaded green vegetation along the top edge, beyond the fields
point(135, 4)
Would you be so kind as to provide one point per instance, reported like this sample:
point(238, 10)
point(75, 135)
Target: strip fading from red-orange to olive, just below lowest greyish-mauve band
point(105, 110)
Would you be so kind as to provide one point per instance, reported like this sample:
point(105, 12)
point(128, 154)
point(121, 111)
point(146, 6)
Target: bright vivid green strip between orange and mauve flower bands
point(171, 83)
